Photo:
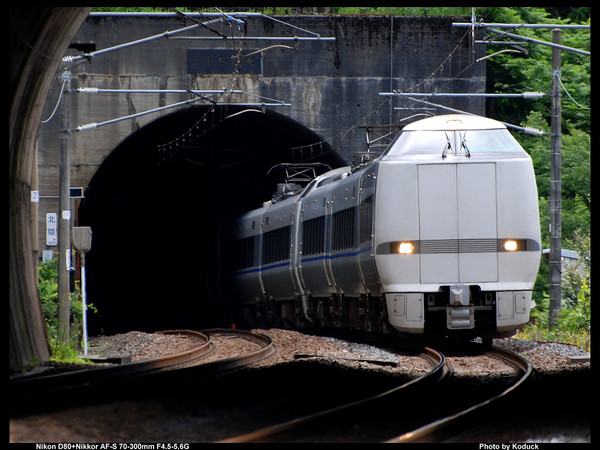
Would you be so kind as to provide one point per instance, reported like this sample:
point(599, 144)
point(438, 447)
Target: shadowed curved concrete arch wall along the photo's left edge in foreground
point(38, 38)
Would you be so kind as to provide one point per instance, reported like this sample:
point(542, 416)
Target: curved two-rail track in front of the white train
point(336, 424)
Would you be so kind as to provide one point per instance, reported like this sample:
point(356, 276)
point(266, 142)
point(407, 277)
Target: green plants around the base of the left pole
point(48, 290)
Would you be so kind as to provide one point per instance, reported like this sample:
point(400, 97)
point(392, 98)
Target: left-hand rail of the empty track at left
point(36, 385)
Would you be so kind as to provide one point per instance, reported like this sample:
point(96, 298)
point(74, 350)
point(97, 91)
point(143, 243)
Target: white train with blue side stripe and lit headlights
point(438, 236)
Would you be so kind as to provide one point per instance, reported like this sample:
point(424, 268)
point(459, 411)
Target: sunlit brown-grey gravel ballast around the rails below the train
point(291, 345)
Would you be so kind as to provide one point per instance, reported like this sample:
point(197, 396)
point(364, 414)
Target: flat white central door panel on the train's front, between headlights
point(457, 223)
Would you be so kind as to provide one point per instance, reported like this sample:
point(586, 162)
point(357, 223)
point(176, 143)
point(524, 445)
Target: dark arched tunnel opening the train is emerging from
point(155, 210)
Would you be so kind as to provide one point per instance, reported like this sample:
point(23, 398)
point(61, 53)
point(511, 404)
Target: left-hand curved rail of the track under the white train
point(278, 432)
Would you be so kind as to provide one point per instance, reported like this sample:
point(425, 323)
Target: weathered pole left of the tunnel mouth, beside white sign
point(64, 206)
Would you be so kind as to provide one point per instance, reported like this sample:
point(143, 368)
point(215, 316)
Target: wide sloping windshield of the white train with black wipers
point(454, 142)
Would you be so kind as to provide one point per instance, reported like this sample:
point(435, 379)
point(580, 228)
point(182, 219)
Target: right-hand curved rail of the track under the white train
point(432, 431)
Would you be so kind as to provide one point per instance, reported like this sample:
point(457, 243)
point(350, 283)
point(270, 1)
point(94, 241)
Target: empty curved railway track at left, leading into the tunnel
point(31, 390)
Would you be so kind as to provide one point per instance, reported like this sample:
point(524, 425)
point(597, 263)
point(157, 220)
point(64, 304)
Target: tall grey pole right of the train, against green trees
point(555, 185)
